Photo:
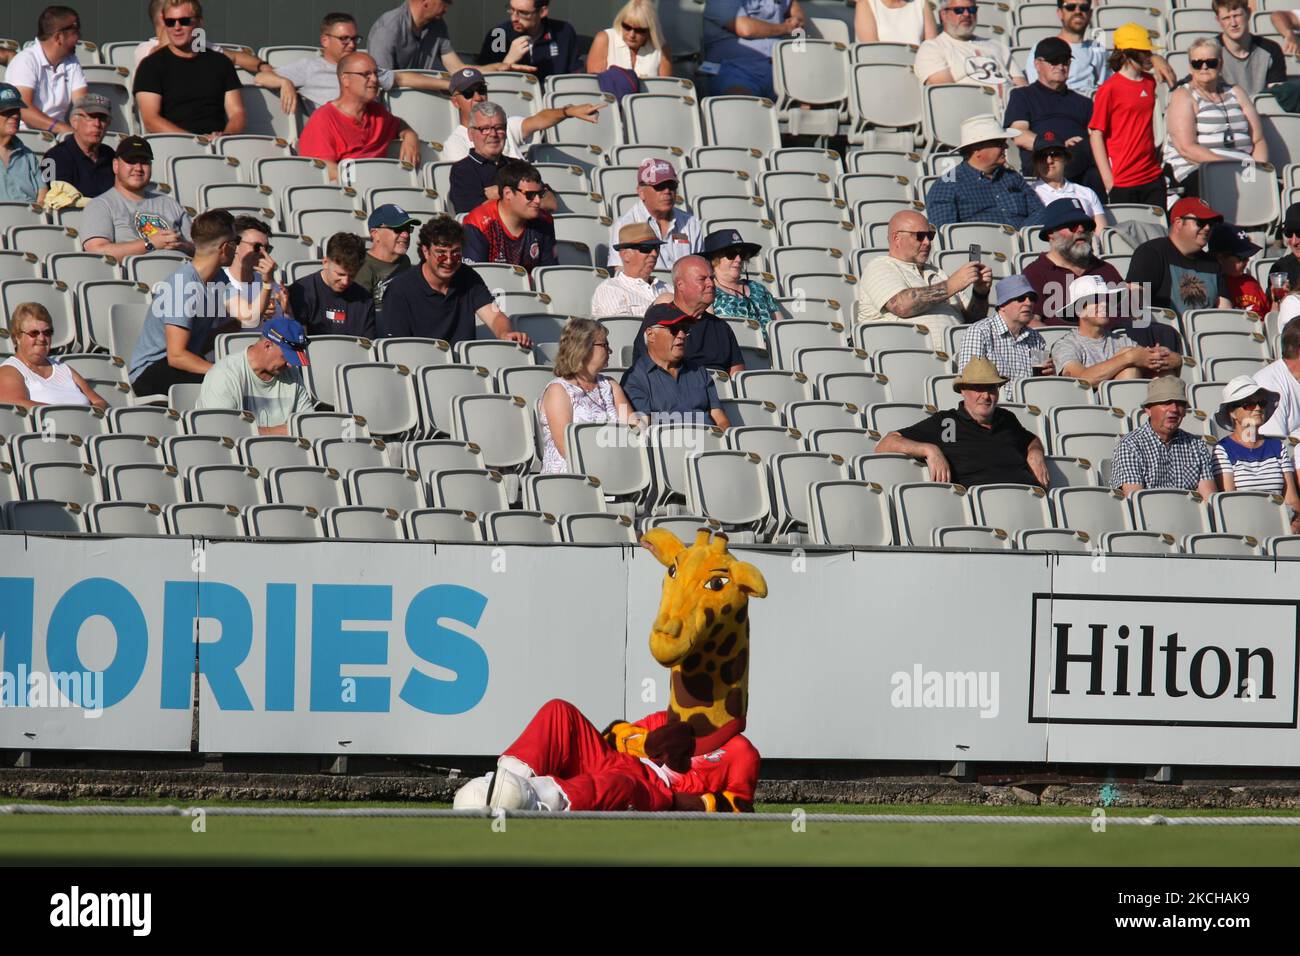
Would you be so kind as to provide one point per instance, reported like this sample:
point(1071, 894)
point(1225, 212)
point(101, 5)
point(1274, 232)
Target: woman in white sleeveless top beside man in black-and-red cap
point(579, 392)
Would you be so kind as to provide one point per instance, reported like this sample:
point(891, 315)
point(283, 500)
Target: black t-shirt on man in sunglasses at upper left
point(193, 90)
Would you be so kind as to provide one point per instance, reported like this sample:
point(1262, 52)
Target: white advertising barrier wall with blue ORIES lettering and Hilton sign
point(406, 648)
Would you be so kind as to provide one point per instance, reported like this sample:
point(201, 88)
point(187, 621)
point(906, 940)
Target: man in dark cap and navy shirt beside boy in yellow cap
point(1048, 111)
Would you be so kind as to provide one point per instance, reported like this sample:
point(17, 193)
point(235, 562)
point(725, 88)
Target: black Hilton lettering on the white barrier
point(1194, 668)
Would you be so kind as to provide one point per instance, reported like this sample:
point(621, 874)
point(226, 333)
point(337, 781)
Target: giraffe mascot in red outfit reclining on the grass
point(692, 756)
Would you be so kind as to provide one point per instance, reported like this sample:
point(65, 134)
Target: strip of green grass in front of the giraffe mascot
point(116, 841)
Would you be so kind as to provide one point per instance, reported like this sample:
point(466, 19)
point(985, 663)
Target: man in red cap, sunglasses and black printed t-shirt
point(1175, 271)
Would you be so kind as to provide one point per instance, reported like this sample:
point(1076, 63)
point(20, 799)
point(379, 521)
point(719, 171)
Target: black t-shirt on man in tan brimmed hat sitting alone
point(978, 456)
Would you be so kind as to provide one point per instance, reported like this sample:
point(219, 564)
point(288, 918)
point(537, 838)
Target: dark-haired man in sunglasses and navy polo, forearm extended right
point(443, 299)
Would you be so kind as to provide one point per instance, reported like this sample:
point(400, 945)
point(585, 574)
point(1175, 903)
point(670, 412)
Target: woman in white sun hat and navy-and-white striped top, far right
point(1246, 461)
